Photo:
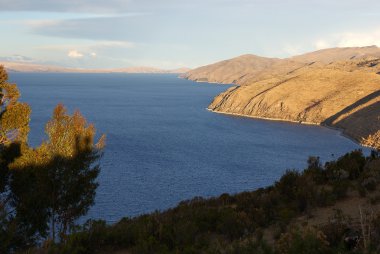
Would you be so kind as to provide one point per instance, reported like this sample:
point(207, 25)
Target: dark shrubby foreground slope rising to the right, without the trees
point(323, 209)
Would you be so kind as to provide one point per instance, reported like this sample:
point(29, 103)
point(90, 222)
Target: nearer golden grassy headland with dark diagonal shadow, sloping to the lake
point(330, 95)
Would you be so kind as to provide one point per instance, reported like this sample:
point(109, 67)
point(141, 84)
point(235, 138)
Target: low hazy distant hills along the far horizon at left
point(14, 66)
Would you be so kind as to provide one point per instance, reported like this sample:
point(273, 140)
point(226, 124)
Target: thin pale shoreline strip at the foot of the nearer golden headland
point(341, 131)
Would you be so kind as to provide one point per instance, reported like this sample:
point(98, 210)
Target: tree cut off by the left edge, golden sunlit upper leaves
point(14, 127)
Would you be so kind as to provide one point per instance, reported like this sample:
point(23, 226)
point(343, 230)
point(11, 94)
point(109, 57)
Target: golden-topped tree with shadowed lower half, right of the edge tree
point(71, 177)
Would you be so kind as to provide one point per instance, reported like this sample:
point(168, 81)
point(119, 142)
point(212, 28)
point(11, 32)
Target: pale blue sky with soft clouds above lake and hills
point(177, 33)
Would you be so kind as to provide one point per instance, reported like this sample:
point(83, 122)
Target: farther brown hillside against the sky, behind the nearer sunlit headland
point(247, 68)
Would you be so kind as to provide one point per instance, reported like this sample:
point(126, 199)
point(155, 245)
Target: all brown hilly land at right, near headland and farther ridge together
point(335, 87)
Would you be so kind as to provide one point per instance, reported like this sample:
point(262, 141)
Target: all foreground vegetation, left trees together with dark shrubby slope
point(331, 208)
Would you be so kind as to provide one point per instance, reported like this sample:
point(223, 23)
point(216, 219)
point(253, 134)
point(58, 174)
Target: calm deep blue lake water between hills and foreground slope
point(163, 146)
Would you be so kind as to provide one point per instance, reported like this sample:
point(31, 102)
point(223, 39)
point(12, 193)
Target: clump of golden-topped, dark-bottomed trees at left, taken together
point(43, 190)
